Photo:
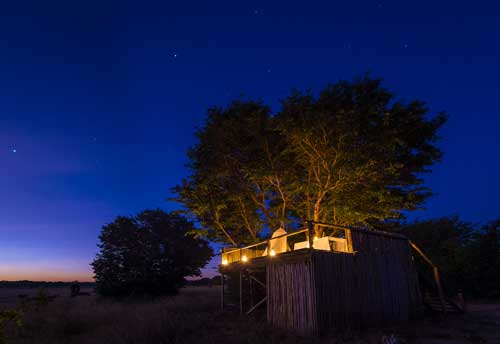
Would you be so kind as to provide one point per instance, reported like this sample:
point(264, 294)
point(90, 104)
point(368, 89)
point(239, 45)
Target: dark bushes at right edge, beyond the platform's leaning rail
point(468, 255)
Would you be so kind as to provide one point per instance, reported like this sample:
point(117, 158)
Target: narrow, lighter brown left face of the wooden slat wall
point(291, 300)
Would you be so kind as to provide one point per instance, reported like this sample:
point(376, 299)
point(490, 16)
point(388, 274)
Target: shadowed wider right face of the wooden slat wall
point(363, 290)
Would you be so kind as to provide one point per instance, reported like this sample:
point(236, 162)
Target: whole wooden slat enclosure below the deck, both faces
point(328, 291)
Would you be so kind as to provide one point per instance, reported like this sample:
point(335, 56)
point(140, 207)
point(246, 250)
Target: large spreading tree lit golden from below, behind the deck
point(351, 155)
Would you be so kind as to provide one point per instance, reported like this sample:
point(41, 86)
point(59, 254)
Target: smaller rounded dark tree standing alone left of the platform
point(148, 254)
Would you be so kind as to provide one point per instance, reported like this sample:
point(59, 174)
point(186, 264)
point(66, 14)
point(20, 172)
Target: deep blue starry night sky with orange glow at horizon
point(99, 101)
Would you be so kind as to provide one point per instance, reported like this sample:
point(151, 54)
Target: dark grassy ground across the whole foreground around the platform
point(193, 316)
